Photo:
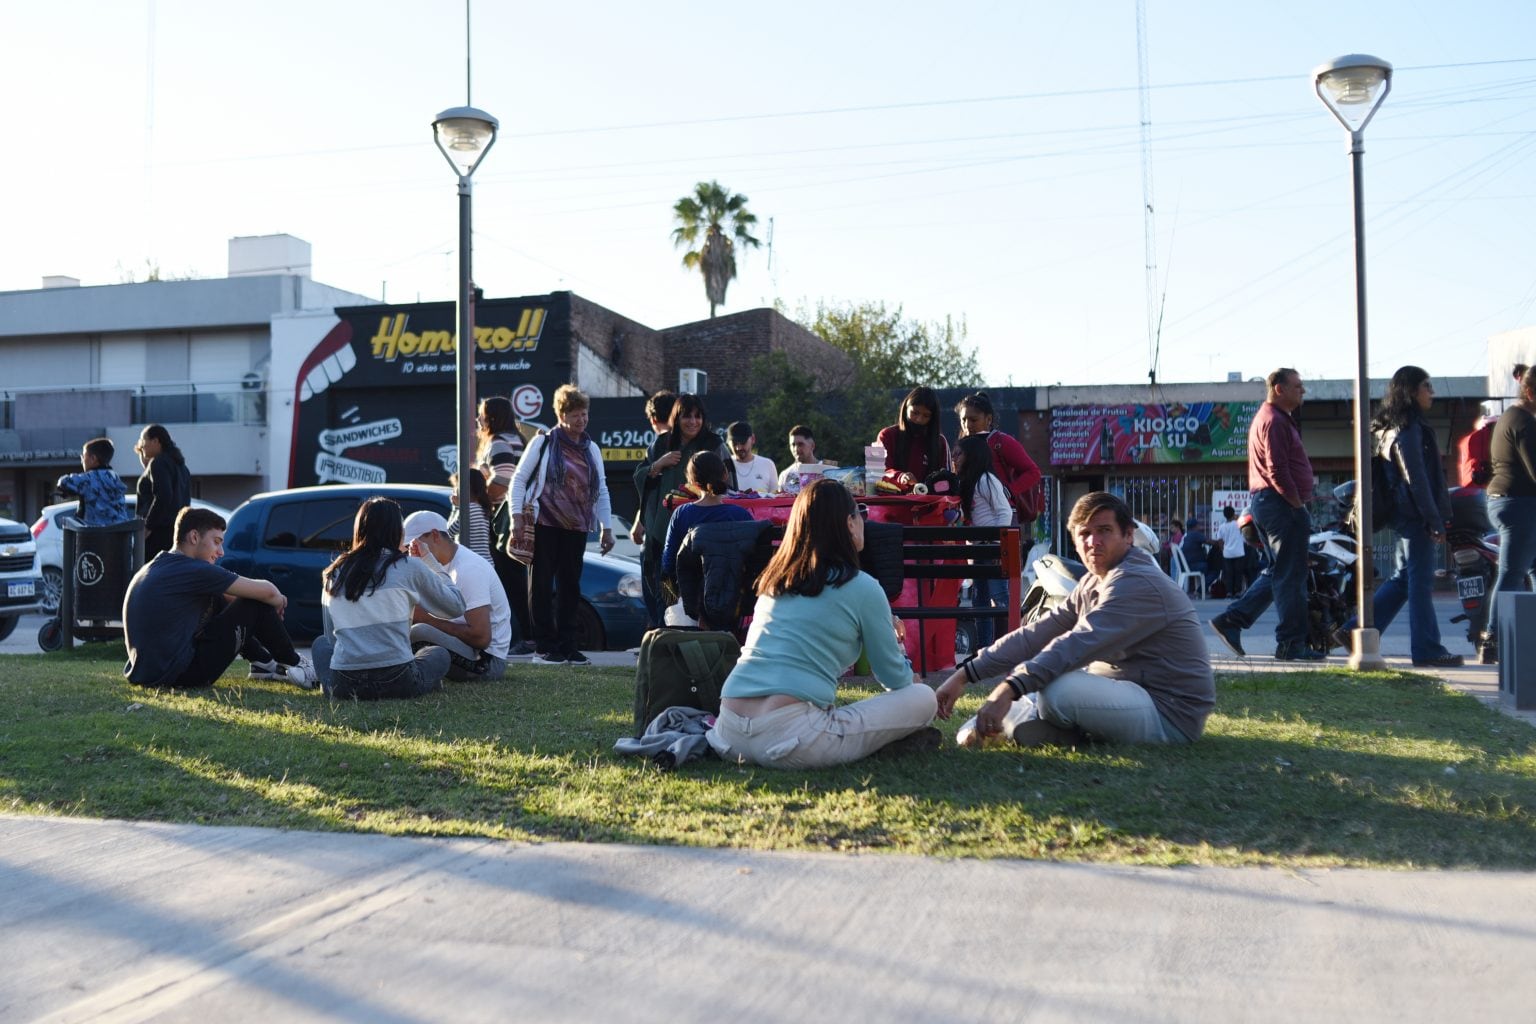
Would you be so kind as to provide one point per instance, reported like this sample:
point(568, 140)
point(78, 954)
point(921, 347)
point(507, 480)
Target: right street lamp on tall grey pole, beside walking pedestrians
point(1352, 88)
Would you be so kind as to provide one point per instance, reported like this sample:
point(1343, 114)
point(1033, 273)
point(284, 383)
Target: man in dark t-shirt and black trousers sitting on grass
point(185, 618)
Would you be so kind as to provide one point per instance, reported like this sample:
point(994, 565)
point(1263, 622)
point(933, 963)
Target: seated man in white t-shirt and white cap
point(478, 639)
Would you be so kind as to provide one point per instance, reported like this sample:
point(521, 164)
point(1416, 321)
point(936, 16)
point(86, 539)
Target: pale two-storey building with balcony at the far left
point(197, 357)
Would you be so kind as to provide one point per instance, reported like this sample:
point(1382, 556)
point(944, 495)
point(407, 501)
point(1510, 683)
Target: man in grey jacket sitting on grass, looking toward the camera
point(1122, 661)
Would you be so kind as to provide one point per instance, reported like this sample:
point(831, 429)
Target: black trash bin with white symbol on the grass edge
point(99, 564)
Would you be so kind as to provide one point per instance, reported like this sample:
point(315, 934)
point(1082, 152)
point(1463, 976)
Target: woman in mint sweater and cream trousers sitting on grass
point(816, 613)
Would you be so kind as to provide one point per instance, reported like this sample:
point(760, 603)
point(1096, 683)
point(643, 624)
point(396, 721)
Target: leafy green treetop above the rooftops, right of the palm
point(890, 352)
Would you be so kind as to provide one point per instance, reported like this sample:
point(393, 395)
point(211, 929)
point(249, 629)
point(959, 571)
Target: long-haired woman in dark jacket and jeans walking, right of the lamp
point(1423, 509)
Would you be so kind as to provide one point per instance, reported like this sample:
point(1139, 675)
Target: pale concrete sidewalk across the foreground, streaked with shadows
point(104, 920)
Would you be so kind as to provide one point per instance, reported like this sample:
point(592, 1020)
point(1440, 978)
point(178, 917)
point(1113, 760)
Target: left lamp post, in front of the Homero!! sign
point(465, 136)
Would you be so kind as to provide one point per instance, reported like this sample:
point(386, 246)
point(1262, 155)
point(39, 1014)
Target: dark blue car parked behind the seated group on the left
point(291, 537)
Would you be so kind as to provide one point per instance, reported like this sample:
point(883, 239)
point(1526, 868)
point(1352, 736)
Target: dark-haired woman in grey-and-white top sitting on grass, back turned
point(368, 598)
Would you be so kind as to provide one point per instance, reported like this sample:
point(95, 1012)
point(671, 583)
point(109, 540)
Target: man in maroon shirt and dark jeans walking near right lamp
point(1280, 483)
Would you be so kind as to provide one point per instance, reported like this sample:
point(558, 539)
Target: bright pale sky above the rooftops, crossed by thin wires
point(975, 160)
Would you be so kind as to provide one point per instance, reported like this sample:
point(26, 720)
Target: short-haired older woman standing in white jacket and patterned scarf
point(560, 483)
